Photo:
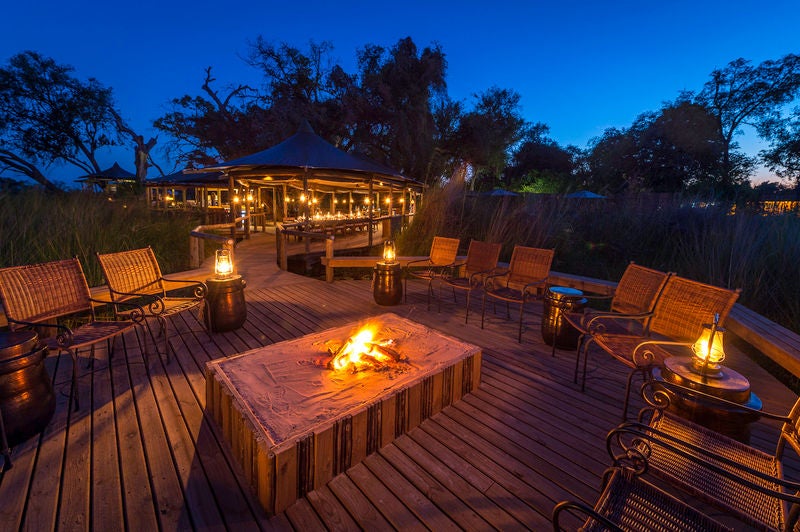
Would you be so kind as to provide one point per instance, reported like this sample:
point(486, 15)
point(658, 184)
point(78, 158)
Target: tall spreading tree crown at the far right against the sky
point(741, 94)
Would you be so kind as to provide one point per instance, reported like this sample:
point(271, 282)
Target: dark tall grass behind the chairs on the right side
point(759, 254)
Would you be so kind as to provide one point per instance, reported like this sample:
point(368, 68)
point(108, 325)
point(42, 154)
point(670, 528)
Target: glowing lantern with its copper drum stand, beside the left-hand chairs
point(225, 305)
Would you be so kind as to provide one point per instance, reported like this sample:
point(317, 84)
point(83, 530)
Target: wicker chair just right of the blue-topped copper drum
point(634, 296)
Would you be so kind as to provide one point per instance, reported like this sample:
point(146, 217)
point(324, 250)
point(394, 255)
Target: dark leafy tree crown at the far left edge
point(48, 116)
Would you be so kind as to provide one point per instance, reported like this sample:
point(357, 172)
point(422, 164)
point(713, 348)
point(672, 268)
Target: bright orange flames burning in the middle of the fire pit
point(362, 351)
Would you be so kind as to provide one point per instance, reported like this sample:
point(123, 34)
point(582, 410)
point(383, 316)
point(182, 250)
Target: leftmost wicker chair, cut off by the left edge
point(37, 295)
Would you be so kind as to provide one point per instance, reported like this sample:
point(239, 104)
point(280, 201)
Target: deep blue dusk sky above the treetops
point(579, 66)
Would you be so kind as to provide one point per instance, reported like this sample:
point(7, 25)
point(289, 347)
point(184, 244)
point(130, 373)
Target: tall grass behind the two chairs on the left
point(39, 227)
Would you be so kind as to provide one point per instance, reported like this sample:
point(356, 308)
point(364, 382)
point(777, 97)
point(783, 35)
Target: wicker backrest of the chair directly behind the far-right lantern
point(685, 305)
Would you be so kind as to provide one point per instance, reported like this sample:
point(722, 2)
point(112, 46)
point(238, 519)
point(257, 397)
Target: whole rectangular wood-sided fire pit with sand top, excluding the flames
point(293, 424)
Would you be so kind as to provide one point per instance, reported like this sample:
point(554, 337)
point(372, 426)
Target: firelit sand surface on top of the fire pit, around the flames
point(287, 394)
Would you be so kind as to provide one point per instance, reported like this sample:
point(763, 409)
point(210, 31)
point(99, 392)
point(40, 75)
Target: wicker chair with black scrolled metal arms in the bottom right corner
point(739, 479)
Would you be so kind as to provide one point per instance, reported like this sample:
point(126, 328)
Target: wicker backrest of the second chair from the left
point(132, 272)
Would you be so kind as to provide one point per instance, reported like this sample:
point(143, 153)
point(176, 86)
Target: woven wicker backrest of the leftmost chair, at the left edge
point(40, 292)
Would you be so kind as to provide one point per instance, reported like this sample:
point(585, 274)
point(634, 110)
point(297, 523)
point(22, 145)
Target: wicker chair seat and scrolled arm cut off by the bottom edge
point(628, 502)
